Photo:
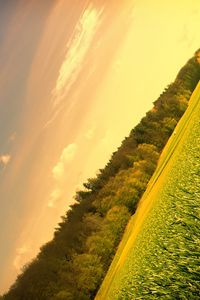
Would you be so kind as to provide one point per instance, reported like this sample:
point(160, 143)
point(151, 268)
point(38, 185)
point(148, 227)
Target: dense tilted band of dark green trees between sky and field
point(73, 265)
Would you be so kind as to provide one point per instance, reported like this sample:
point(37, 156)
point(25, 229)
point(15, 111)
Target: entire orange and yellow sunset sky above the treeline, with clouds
point(75, 78)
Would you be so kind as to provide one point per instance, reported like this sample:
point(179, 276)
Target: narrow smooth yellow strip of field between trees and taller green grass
point(149, 197)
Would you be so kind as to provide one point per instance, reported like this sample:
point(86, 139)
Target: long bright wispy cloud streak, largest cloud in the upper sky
point(76, 51)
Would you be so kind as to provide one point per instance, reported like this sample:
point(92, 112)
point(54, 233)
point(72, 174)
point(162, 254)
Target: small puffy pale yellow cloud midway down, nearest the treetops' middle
point(66, 157)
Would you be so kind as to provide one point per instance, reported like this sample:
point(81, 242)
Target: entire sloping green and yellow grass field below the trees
point(159, 255)
